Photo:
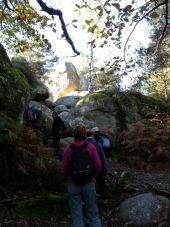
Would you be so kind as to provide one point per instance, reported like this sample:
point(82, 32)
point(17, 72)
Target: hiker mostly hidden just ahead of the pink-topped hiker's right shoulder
point(100, 180)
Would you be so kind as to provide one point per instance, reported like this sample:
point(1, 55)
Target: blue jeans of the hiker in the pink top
point(78, 195)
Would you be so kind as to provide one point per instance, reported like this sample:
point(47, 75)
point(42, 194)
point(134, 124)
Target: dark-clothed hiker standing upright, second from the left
point(56, 132)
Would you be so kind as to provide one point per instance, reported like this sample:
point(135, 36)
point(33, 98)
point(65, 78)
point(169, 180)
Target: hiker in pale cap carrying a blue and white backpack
point(104, 140)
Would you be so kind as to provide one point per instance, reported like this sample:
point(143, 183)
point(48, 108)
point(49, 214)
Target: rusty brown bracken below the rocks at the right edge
point(145, 143)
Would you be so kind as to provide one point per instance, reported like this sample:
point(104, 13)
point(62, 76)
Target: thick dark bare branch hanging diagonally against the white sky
point(57, 12)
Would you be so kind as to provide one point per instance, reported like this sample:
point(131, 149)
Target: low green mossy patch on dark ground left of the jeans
point(43, 207)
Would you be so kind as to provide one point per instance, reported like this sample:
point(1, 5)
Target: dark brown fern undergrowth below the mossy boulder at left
point(27, 165)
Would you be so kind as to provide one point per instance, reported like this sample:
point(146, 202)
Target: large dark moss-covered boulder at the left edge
point(15, 93)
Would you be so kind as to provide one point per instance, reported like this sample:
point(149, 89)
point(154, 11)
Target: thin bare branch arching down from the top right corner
point(150, 11)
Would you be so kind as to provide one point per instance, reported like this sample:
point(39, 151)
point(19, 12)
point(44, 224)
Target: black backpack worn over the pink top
point(81, 164)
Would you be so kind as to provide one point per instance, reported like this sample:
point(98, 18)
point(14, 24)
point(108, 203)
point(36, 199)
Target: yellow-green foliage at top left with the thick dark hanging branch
point(22, 25)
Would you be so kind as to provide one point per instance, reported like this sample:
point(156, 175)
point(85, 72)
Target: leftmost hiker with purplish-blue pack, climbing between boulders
point(30, 115)
